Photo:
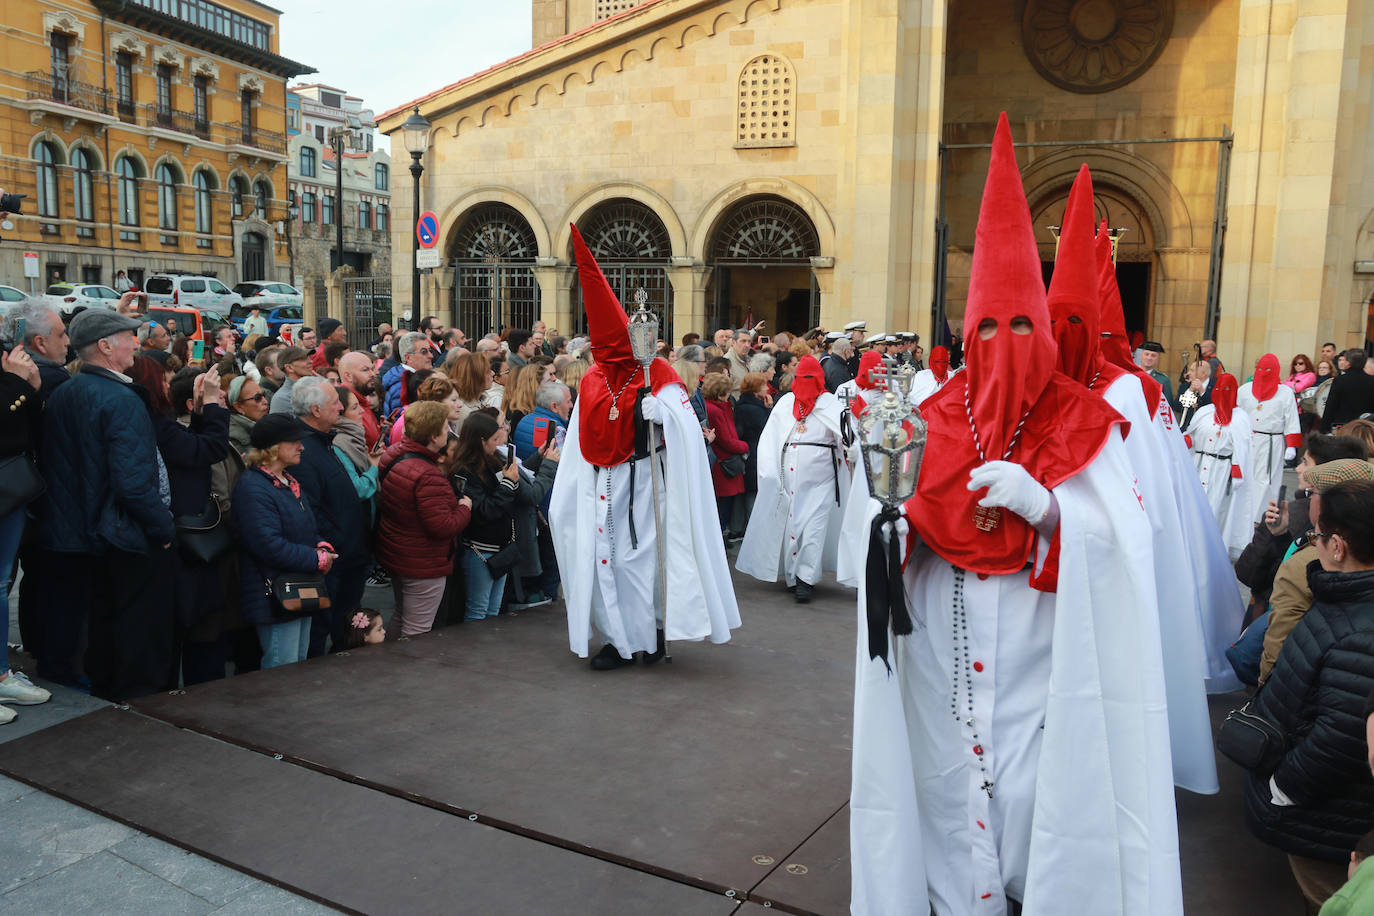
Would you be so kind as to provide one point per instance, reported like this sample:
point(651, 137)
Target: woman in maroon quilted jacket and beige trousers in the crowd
point(421, 518)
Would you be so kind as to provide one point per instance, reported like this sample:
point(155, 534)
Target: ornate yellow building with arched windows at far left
point(149, 135)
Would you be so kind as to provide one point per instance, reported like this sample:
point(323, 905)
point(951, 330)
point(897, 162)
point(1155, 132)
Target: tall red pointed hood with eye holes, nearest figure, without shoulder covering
point(1006, 373)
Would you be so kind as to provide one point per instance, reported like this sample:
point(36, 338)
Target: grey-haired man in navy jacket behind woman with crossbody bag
point(341, 518)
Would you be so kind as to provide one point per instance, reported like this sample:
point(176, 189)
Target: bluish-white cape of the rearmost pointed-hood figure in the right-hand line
point(1221, 606)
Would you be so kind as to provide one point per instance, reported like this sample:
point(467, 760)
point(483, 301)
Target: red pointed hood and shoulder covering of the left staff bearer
point(616, 380)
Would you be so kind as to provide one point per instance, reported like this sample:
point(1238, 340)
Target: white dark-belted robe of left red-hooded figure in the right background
point(1229, 496)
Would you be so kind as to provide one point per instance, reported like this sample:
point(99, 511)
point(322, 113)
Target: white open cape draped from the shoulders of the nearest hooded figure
point(1104, 834)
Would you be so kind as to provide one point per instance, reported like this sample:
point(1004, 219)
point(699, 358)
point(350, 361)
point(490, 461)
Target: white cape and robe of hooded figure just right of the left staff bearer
point(763, 551)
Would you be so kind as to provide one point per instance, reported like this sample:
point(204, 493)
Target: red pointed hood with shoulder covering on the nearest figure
point(1009, 384)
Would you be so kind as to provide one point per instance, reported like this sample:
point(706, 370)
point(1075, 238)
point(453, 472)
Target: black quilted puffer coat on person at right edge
point(1317, 697)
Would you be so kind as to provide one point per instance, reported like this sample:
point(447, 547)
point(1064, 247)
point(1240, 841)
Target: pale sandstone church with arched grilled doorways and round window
point(822, 160)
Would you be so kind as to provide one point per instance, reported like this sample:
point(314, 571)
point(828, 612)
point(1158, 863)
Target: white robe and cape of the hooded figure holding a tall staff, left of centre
point(609, 586)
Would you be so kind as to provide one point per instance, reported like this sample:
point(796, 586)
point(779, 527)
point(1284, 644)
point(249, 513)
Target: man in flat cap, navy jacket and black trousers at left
point(108, 512)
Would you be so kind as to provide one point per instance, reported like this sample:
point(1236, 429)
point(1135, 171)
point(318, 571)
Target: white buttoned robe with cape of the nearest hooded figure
point(1071, 713)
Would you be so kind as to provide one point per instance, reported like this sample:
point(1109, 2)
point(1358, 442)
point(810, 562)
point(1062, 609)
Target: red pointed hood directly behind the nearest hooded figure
point(1074, 289)
